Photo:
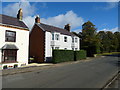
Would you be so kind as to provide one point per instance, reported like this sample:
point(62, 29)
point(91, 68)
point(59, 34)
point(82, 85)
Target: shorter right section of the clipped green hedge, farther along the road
point(78, 55)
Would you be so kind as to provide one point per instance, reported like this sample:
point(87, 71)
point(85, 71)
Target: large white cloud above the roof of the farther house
point(62, 19)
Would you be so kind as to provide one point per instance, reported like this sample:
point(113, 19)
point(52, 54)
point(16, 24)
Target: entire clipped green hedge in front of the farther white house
point(68, 55)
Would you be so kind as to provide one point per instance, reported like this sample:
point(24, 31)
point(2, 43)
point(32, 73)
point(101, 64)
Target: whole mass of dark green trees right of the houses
point(100, 42)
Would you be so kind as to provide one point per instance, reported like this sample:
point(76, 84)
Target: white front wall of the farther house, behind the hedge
point(54, 44)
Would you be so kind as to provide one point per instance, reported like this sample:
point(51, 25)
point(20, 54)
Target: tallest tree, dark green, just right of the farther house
point(90, 42)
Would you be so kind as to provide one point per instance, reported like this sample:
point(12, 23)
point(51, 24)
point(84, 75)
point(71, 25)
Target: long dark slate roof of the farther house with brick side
point(50, 28)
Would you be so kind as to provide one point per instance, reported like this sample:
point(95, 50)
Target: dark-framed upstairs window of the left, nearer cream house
point(10, 36)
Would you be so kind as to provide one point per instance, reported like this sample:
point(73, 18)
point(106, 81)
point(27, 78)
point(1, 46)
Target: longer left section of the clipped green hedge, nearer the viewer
point(63, 56)
